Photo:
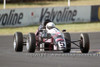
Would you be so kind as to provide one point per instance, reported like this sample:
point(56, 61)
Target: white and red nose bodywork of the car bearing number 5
point(59, 43)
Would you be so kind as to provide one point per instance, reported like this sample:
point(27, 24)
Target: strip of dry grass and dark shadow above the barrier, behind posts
point(46, 3)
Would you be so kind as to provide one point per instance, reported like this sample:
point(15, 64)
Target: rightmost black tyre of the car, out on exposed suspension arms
point(84, 43)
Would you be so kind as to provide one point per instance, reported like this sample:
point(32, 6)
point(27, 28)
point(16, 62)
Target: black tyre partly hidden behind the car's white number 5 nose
point(68, 42)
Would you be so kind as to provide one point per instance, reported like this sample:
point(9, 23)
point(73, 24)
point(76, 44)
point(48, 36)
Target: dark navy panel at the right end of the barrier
point(95, 13)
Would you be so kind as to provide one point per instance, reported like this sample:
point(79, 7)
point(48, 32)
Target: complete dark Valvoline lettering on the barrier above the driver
point(59, 15)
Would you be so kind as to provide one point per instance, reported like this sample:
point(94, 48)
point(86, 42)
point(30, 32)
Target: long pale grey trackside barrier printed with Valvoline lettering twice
point(33, 16)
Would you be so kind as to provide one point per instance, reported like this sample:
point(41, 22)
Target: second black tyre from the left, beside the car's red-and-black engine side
point(31, 43)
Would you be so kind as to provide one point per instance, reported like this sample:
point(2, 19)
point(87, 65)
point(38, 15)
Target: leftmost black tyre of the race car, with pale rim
point(18, 42)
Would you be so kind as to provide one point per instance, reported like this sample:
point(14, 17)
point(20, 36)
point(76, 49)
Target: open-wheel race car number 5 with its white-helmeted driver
point(51, 39)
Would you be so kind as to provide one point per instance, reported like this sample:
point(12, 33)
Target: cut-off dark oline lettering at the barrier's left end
point(11, 18)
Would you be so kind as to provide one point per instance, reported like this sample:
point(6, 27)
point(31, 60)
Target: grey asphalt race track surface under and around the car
point(9, 58)
